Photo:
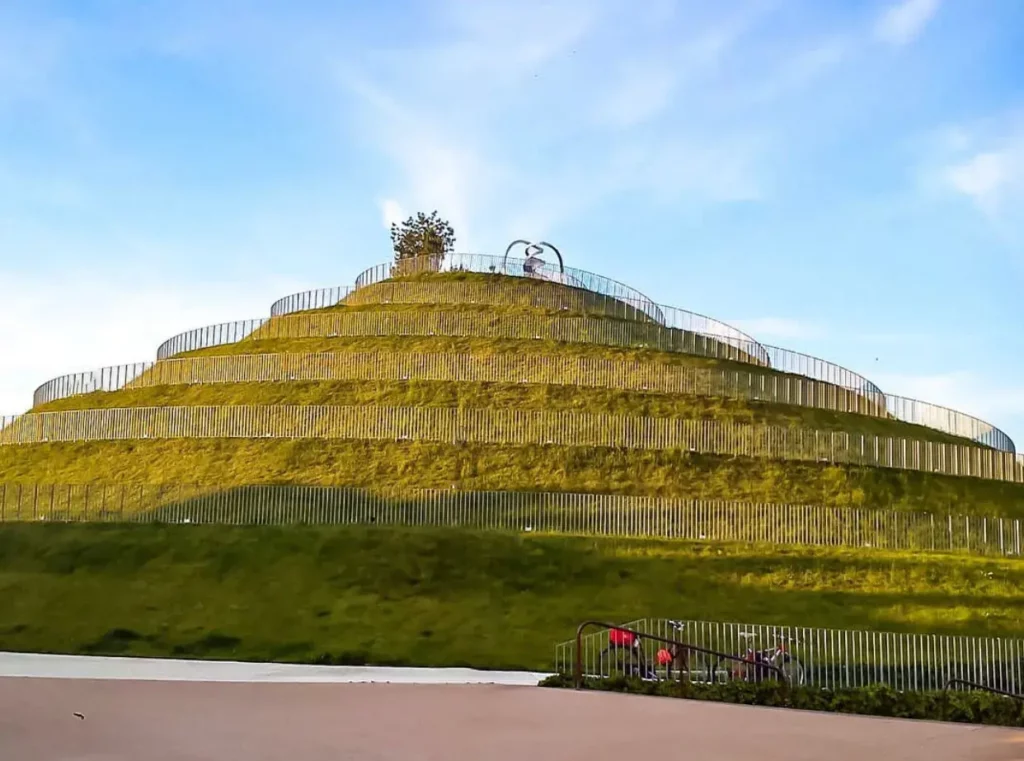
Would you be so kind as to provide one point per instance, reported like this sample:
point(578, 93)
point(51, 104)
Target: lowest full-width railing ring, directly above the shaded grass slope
point(567, 514)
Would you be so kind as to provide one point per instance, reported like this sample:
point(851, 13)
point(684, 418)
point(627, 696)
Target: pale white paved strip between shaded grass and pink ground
point(89, 667)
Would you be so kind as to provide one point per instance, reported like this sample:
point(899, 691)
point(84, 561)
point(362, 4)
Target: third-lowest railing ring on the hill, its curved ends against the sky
point(572, 370)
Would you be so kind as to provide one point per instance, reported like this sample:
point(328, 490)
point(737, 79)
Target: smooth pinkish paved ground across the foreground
point(195, 722)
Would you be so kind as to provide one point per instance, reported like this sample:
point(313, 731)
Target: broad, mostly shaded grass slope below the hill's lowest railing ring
point(448, 598)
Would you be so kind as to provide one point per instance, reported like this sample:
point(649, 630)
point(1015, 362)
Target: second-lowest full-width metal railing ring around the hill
point(514, 428)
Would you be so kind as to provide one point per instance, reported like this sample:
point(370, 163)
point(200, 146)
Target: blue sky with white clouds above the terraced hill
point(841, 179)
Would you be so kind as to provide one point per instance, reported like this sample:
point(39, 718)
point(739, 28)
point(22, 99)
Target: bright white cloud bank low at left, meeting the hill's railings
point(75, 322)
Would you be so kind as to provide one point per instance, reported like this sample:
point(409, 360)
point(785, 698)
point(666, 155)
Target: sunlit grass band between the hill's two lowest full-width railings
point(409, 464)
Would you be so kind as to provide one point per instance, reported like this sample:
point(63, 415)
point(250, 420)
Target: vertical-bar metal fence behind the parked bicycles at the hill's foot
point(836, 659)
